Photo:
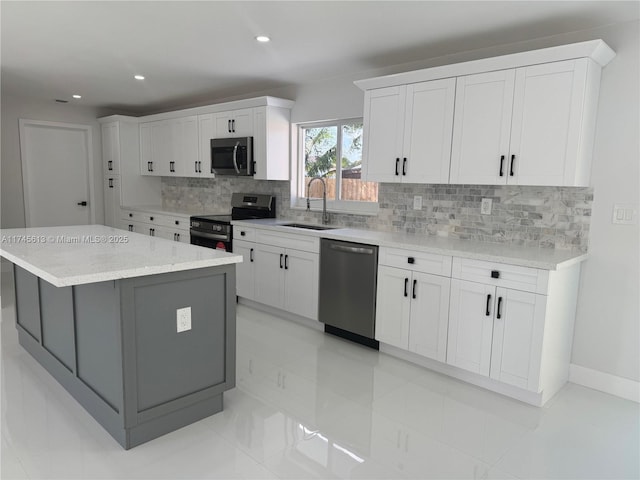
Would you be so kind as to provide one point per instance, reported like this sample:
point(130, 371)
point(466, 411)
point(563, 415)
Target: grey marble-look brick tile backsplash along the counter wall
point(546, 217)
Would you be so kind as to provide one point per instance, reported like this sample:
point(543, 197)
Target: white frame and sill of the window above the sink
point(298, 201)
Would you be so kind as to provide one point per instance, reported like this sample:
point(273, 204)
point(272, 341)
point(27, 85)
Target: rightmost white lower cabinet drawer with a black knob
point(501, 275)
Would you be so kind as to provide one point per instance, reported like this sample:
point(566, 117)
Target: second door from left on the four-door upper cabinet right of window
point(428, 128)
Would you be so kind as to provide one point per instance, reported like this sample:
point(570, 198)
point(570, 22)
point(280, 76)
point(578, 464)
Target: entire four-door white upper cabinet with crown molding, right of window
point(521, 119)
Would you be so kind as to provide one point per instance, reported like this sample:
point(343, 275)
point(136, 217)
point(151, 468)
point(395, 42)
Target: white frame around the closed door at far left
point(87, 129)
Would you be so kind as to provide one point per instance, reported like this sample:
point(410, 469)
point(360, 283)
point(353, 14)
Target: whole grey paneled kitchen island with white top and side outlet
point(139, 330)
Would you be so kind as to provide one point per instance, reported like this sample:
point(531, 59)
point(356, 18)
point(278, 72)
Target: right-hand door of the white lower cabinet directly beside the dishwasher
point(429, 317)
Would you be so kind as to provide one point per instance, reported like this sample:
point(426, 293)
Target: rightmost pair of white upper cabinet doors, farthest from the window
point(524, 126)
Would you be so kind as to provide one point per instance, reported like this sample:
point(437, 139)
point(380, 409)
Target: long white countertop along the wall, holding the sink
point(545, 259)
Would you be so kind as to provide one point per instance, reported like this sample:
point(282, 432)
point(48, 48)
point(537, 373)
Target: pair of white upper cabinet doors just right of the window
point(408, 132)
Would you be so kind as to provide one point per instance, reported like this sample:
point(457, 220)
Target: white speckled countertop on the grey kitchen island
point(74, 255)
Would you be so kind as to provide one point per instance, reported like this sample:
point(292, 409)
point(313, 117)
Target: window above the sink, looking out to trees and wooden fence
point(320, 146)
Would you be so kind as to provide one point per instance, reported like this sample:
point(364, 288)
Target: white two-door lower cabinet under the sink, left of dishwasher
point(284, 278)
